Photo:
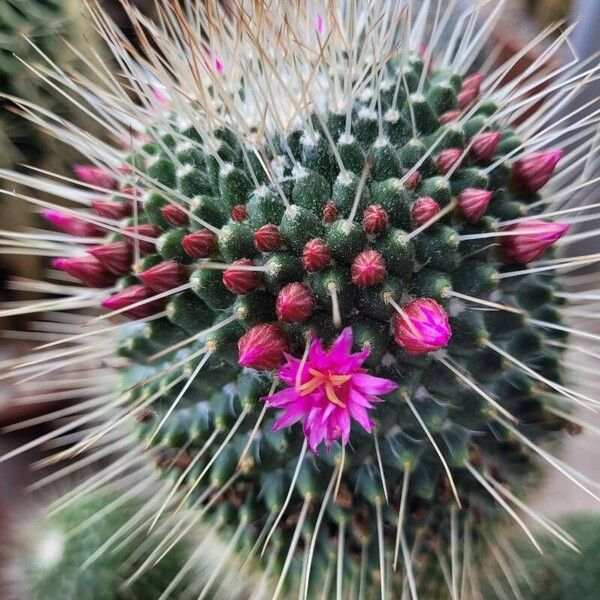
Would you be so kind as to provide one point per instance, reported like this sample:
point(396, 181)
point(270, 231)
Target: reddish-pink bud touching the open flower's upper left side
point(262, 347)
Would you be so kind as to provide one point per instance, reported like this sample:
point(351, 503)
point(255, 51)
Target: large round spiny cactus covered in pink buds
point(337, 257)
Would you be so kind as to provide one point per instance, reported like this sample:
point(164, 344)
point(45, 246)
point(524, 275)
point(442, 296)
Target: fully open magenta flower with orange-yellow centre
point(328, 391)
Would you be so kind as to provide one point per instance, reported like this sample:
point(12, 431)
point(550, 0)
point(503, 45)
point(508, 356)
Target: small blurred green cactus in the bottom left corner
point(52, 561)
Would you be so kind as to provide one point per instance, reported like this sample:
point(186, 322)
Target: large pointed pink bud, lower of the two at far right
point(530, 239)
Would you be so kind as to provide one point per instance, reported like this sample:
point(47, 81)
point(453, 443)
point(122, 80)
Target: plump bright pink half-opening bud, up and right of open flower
point(422, 327)
